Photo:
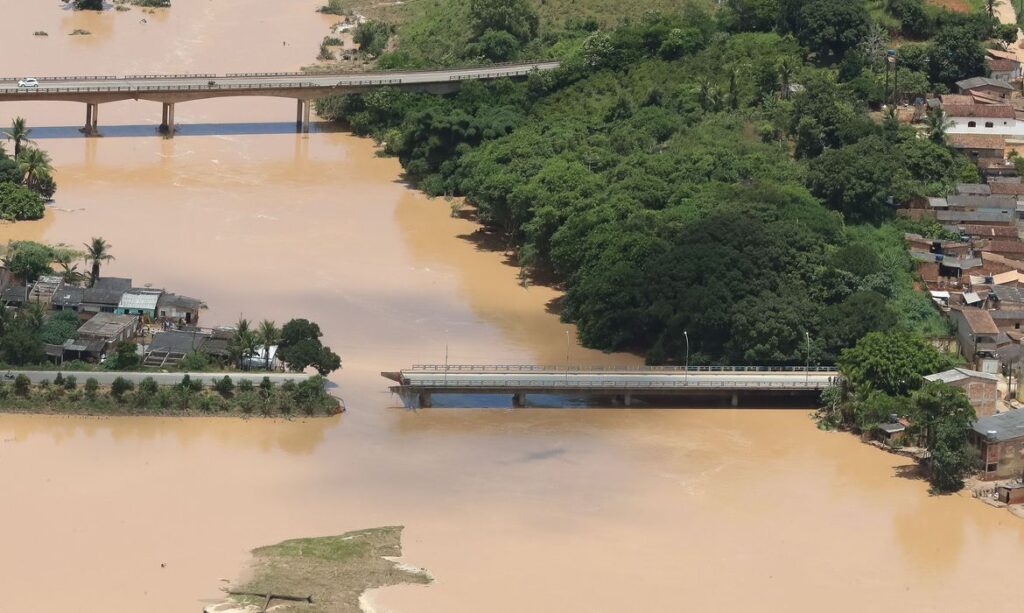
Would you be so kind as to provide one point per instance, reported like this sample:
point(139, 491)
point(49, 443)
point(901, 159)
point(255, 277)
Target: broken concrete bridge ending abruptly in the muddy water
point(418, 385)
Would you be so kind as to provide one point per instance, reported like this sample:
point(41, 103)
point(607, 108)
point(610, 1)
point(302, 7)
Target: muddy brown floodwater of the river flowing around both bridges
point(513, 511)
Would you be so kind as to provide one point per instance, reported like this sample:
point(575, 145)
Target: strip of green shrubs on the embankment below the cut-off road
point(69, 396)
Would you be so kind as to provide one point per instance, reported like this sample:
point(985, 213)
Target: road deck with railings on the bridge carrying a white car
point(188, 83)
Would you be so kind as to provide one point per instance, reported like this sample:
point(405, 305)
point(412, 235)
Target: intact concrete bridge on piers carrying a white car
point(304, 87)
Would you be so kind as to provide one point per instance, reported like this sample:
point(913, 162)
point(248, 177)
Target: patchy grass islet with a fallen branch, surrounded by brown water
point(334, 571)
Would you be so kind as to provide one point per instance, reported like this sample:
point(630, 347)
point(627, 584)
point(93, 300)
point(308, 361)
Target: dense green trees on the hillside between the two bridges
point(715, 173)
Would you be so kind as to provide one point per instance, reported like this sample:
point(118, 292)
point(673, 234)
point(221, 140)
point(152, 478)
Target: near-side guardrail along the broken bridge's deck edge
point(610, 385)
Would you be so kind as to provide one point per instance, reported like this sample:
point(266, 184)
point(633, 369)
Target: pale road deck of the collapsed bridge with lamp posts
point(637, 381)
